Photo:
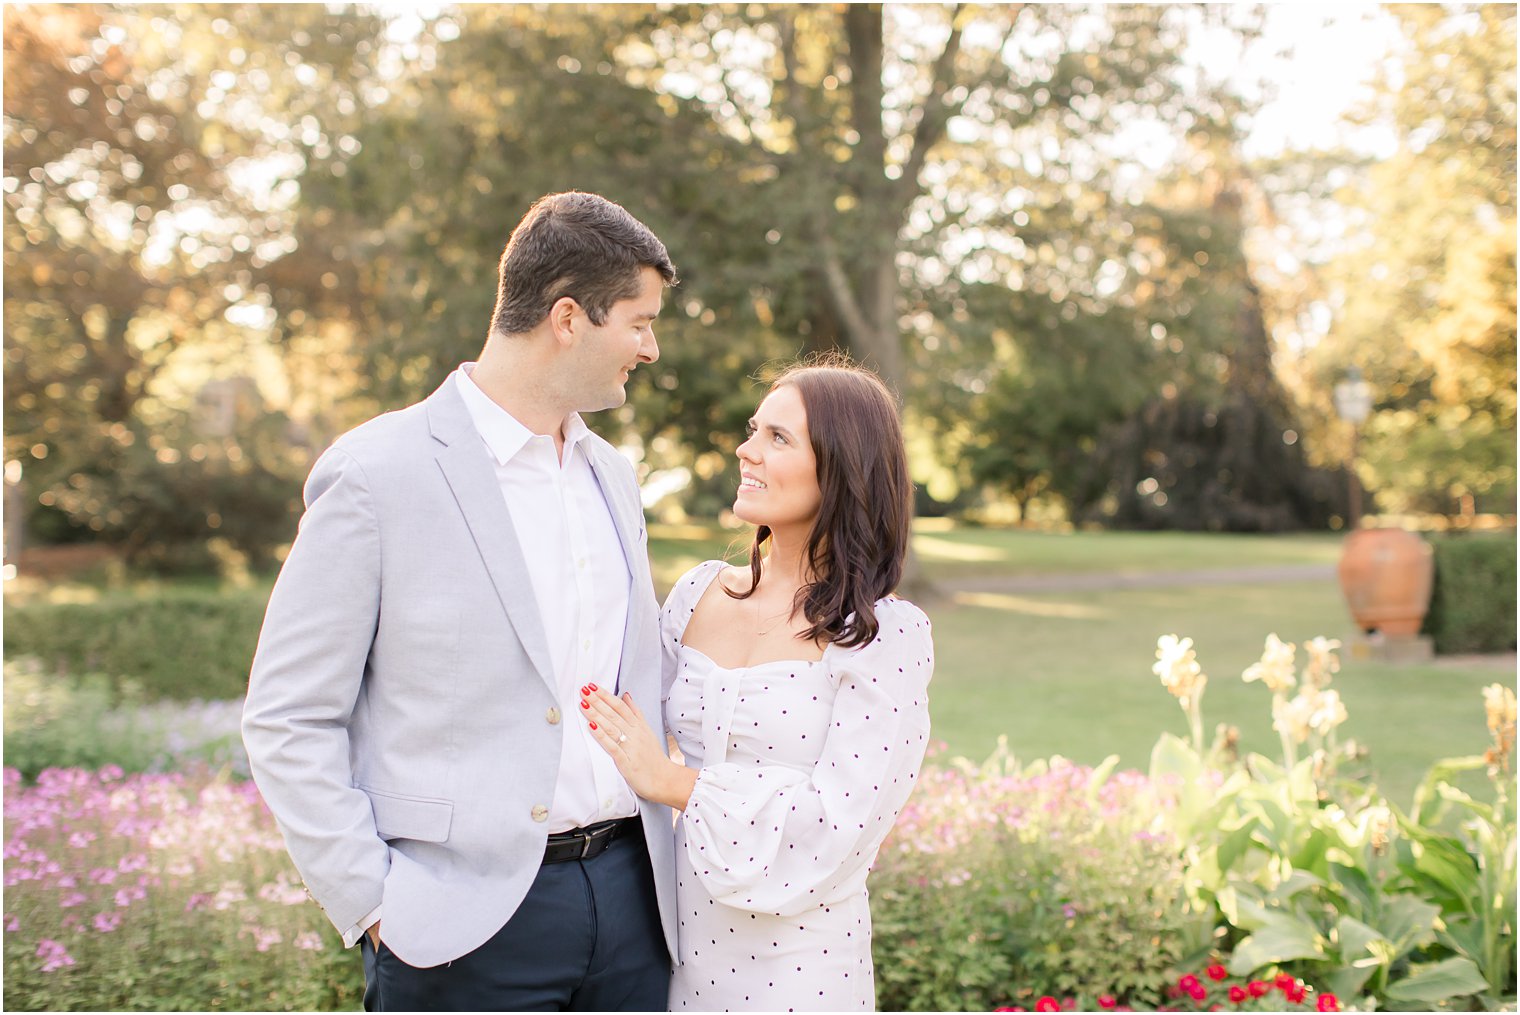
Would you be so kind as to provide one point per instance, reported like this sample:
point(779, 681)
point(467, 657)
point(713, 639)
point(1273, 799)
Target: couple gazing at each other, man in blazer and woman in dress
point(463, 692)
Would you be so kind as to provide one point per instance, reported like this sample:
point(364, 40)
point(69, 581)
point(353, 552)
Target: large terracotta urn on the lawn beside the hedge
point(1387, 577)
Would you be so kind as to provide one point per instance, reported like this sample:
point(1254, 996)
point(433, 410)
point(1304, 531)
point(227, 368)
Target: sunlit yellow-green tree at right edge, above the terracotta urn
point(1428, 296)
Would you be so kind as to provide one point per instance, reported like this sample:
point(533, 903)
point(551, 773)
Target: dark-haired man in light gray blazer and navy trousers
point(463, 569)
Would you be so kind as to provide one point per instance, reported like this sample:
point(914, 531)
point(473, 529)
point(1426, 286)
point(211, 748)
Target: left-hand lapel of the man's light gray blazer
point(467, 469)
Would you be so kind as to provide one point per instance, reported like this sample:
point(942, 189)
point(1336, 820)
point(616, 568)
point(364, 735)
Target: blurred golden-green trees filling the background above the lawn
point(235, 232)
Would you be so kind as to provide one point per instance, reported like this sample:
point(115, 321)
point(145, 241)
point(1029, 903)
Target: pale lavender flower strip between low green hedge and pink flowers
point(65, 723)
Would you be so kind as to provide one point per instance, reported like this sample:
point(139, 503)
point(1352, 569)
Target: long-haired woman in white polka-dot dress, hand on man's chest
point(797, 692)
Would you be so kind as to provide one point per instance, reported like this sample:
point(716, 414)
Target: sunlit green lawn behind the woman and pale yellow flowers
point(1071, 672)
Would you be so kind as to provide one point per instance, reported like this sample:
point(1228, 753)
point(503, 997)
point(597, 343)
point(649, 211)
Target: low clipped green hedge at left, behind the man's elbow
point(180, 645)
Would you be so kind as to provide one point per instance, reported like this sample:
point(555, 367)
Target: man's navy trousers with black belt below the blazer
point(586, 938)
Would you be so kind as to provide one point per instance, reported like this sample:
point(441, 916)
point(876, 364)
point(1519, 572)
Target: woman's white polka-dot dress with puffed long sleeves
point(803, 770)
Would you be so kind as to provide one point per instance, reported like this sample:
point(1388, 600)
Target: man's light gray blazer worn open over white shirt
point(402, 716)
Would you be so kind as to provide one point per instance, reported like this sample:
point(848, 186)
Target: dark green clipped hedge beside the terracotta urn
point(1474, 601)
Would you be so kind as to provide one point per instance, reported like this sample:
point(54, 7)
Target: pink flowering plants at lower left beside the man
point(159, 893)
